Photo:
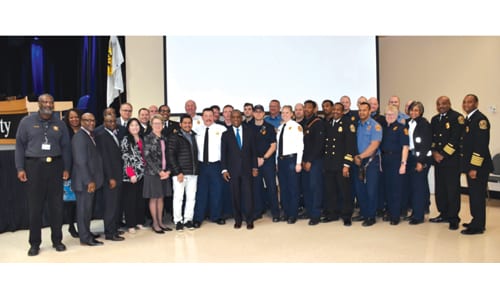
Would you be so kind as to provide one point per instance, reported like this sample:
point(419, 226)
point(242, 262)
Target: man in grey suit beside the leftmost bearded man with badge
point(87, 176)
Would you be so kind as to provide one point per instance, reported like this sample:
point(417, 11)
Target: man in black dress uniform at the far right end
point(476, 162)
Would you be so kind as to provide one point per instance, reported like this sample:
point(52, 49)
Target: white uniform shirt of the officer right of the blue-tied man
point(293, 139)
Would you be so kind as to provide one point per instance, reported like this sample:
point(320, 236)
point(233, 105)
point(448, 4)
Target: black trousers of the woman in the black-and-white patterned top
point(133, 203)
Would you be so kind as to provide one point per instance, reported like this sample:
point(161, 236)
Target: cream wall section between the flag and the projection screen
point(144, 57)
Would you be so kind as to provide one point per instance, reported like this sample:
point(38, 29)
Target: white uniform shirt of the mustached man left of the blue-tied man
point(214, 141)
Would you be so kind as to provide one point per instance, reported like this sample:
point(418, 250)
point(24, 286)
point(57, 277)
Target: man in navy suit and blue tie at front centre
point(239, 164)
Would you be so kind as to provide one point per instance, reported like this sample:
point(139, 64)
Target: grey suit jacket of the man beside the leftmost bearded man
point(87, 163)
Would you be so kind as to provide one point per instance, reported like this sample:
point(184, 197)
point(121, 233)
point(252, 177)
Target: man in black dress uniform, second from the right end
point(447, 127)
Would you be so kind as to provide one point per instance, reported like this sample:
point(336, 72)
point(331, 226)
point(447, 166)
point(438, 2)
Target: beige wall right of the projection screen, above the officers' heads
point(424, 68)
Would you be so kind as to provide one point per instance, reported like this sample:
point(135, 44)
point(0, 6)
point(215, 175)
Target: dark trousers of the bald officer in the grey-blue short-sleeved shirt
point(367, 191)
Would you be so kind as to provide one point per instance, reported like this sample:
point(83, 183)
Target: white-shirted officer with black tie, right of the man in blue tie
point(289, 159)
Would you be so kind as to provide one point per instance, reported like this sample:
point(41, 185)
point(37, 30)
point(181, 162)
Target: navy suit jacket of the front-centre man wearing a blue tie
point(238, 162)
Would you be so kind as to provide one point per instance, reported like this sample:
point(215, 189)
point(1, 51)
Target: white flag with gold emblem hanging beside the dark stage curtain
point(115, 61)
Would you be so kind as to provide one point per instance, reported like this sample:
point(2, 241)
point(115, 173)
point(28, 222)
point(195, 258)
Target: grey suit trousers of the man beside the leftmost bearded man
point(84, 207)
